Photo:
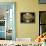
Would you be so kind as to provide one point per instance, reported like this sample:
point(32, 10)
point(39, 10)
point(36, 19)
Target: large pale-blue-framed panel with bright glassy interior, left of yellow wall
point(7, 20)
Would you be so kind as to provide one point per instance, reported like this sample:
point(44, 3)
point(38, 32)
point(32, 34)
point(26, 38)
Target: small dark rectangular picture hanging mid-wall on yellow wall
point(27, 17)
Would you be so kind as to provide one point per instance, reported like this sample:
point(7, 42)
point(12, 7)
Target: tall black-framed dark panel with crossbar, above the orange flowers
point(42, 22)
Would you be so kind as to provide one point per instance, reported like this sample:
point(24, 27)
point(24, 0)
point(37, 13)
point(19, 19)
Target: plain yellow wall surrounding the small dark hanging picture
point(27, 30)
